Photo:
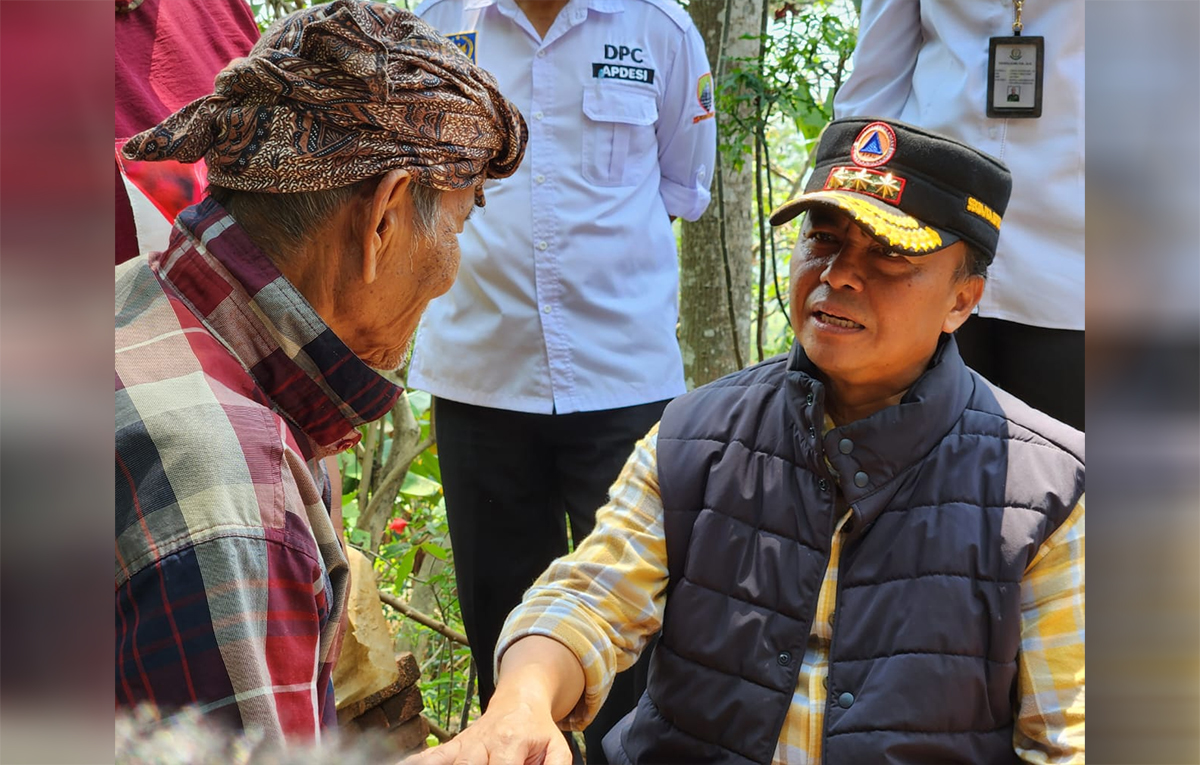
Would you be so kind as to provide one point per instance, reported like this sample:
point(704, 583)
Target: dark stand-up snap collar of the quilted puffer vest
point(869, 455)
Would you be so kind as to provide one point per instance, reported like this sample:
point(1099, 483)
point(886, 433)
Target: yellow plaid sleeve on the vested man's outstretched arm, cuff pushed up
point(605, 600)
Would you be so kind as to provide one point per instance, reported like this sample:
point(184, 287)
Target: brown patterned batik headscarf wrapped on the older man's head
point(340, 93)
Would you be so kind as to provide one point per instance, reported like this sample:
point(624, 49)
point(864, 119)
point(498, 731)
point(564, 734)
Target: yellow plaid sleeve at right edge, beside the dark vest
point(1051, 682)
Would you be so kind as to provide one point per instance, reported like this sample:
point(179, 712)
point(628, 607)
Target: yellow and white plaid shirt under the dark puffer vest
point(607, 599)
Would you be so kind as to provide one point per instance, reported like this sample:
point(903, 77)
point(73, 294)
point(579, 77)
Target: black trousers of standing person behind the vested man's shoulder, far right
point(1042, 368)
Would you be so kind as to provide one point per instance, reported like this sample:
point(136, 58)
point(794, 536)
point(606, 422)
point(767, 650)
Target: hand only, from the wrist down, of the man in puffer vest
point(507, 734)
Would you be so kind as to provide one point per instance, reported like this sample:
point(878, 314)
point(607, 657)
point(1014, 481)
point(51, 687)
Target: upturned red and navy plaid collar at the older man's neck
point(304, 369)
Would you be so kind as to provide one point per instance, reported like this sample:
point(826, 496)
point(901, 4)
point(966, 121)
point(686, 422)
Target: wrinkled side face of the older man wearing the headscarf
point(415, 268)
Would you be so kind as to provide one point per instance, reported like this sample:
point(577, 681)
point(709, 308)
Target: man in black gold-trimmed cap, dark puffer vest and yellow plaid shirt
point(868, 474)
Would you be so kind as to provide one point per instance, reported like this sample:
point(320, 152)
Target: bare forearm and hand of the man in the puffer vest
point(541, 682)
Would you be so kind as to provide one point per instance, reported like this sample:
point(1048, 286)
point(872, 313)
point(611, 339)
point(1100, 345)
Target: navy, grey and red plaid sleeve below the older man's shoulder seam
point(231, 627)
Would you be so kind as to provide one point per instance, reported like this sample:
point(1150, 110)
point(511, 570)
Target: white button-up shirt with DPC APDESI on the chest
point(567, 299)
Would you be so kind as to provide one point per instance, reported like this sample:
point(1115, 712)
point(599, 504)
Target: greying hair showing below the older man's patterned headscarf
point(281, 222)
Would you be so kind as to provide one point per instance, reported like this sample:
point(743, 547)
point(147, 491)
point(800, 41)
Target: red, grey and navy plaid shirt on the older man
point(231, 579)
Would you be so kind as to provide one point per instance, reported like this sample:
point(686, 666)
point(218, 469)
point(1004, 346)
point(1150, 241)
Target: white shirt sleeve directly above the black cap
point(890, 40)
